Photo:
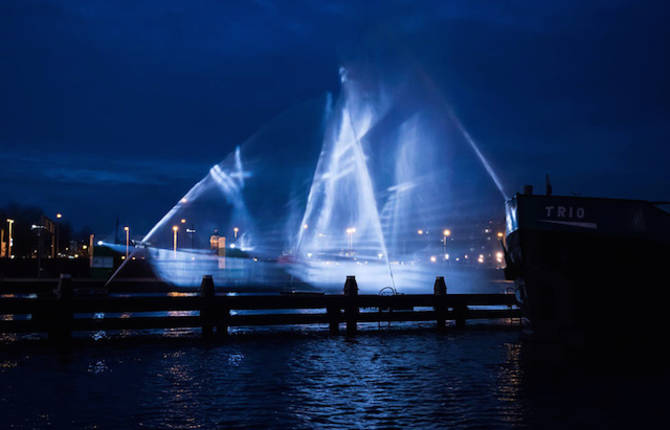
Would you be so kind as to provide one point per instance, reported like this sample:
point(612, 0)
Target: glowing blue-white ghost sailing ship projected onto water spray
point(339, 189)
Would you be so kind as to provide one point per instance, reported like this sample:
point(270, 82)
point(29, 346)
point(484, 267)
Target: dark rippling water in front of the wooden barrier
point(422, 379)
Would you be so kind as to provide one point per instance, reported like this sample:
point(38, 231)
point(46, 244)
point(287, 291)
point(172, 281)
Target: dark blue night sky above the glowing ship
point(116, 108)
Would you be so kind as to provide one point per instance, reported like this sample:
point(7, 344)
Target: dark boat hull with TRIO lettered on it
point(597, 276)
